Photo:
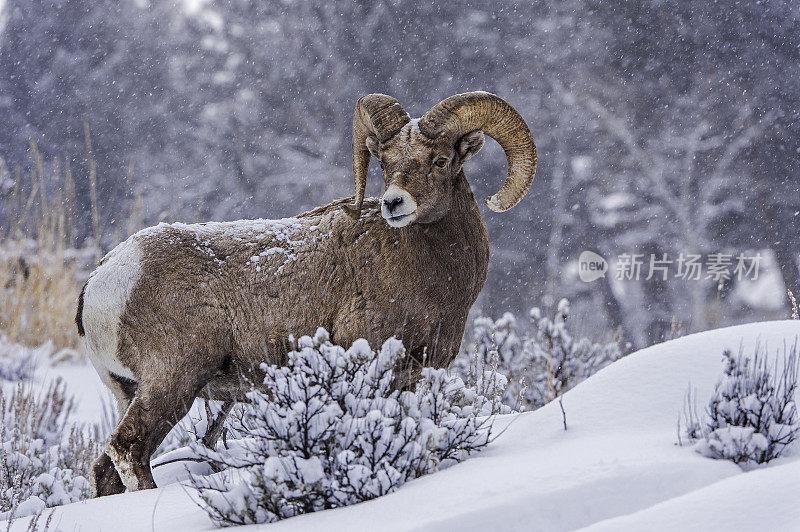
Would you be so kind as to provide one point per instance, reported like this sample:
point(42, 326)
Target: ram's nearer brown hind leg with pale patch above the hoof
point(160, 402)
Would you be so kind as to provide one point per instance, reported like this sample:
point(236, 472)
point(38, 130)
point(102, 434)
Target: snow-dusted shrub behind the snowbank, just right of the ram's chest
point(541, 364)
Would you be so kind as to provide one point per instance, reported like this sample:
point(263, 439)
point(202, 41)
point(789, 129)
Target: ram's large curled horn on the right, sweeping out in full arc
point(460, 114)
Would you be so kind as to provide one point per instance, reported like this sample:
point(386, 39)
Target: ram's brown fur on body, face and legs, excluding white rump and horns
point(203, 315)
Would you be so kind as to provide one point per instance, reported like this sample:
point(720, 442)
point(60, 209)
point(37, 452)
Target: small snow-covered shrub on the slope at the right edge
point(752, 415)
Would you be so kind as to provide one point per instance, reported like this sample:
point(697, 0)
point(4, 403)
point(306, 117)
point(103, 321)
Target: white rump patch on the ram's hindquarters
point(104, 300)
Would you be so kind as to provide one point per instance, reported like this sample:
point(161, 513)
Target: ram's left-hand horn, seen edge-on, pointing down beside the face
point(376, 115)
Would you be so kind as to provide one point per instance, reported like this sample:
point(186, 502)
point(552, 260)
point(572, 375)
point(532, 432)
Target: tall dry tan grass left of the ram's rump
point(41, 271)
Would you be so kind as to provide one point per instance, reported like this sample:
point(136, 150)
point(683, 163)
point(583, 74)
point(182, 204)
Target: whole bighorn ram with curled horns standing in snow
point(183, 311)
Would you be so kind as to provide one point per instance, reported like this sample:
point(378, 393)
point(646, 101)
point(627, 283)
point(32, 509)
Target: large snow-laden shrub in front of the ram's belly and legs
point(328, 430)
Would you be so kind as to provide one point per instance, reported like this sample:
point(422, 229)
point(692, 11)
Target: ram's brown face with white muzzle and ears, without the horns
point(420, 173)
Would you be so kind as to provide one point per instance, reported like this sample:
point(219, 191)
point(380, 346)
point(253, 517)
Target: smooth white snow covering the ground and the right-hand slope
point(616, 467)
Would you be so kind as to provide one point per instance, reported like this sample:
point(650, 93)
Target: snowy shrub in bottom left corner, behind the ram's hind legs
point(44, 459)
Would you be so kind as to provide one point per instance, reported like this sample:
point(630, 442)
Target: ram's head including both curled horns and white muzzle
point(422, 159)
